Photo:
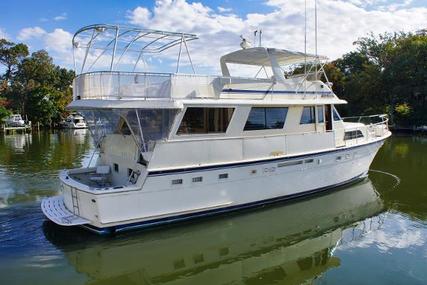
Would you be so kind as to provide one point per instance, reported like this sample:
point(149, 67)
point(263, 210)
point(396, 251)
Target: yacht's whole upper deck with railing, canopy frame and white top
point(110, 59)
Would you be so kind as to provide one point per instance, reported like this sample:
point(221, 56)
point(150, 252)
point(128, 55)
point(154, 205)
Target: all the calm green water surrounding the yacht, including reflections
point(372, 232)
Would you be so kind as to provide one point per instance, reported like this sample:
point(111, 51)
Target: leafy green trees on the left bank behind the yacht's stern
point(32, 85)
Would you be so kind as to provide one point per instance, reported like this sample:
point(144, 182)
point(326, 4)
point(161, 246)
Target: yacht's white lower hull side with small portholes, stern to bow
point(245, 185)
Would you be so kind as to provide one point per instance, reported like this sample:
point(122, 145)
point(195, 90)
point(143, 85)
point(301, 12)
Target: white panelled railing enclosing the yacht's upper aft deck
point(145, 85)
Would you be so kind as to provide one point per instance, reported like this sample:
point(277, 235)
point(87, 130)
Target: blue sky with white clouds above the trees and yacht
point(50, 24)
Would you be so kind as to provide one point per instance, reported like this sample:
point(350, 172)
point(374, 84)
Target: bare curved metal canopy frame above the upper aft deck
point(104, 46)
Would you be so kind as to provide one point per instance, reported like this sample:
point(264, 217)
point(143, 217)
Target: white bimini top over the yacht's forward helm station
point(262, 56)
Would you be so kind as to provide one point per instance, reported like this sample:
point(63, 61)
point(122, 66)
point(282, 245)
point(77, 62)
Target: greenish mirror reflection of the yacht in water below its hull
point(293, 243)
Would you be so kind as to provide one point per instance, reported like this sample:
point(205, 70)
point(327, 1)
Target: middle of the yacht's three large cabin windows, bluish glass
point(261, 118)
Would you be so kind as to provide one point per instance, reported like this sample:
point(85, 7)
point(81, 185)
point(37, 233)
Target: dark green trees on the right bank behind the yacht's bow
point(385, 74)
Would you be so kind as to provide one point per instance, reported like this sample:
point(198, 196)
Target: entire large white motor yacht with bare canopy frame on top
point(172, 146)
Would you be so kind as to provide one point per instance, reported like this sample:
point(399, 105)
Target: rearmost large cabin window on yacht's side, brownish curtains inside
point(205, 120)
